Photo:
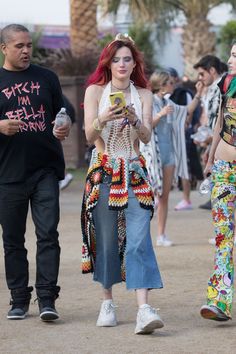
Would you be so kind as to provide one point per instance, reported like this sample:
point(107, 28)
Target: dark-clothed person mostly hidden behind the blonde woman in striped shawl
point(183, 96)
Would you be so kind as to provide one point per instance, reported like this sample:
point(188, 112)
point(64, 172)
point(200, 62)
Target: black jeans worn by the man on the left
point(41, 191)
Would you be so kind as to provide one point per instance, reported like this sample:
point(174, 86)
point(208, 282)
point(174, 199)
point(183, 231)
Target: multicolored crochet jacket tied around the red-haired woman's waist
point(122, 172)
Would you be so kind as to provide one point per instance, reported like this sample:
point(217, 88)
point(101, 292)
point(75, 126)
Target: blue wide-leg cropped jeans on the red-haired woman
point(142, 271)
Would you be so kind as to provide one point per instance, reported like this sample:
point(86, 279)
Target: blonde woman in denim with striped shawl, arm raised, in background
point(166, 153)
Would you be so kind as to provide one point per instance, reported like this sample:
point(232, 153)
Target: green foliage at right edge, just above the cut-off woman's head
point(226, 37)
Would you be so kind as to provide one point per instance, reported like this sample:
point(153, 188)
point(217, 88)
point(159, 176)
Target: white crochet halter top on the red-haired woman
point(120, 143)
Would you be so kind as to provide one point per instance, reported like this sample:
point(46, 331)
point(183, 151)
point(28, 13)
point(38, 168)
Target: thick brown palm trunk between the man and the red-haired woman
point(83, 27)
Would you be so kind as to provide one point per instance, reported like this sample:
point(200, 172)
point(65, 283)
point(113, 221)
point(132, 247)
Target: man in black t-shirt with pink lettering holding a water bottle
point(31, 164)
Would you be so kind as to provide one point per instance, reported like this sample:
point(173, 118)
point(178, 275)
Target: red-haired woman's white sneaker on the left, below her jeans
point(107, 315)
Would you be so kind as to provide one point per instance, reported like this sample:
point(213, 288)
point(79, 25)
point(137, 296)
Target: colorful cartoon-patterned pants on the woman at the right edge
point(223, 198)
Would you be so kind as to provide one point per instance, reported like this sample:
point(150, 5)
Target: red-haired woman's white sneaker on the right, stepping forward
point(147, 320)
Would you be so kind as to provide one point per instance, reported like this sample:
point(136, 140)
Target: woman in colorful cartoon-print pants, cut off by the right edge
point(221, 166)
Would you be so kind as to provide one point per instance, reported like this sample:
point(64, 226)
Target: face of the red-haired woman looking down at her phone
point(122, 64)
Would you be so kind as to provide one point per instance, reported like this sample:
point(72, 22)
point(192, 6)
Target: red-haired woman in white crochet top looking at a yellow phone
point(118, 199)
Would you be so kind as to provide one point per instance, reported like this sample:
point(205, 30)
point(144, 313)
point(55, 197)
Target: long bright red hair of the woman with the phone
point(102, 74)
